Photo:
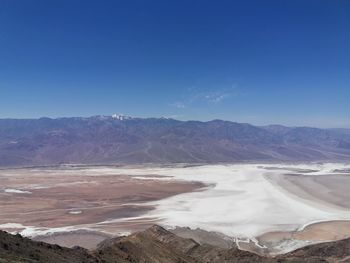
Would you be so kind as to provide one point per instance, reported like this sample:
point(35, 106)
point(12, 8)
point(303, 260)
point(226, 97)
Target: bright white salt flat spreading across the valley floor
point(242, 202)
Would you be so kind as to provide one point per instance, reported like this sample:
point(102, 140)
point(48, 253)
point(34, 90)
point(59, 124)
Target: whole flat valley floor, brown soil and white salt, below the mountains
point(265, 208)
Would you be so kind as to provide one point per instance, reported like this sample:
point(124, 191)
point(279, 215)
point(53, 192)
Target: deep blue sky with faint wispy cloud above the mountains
point(260, 62)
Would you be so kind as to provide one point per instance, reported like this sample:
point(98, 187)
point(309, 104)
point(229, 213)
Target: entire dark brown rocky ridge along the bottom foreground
point(157, 245)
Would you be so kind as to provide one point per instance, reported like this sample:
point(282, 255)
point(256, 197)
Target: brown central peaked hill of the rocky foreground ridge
point(158, 245)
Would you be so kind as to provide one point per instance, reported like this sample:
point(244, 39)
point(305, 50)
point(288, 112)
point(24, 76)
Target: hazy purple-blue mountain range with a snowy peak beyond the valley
point(126, 140)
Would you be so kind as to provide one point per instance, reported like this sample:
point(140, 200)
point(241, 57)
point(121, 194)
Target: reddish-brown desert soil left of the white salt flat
point(66, 198)
